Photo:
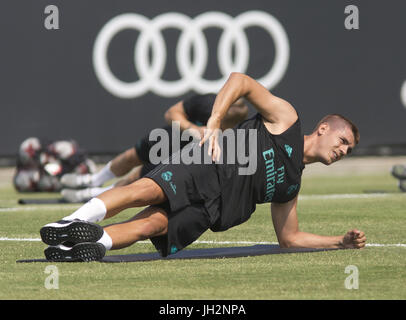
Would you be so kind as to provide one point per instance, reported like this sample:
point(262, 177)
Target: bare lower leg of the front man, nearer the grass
point(149, 223)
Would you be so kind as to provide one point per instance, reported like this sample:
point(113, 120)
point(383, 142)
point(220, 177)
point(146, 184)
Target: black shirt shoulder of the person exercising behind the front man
point(198, 108)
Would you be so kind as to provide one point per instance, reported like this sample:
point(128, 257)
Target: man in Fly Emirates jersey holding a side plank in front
point(183, 201)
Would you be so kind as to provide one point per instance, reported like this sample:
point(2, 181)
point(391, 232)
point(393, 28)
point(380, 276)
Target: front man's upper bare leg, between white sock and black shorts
point(140, 193)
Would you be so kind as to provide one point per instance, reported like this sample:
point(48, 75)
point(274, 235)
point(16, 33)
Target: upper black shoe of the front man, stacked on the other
point(76, 231)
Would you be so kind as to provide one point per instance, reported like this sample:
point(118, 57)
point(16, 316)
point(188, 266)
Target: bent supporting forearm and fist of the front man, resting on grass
point(284, 217)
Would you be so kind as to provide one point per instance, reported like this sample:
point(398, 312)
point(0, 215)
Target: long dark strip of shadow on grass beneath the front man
point(211, 253)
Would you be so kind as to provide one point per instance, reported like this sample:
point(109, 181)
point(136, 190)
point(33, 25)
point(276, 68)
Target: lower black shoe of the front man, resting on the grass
point(81, 252)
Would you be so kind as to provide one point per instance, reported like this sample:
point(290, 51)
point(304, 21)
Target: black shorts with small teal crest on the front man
point(193, 205)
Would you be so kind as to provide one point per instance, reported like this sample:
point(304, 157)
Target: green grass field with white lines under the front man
point(318, 275)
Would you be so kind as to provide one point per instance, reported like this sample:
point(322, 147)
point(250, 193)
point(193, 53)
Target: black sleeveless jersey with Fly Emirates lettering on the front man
point(277, 178)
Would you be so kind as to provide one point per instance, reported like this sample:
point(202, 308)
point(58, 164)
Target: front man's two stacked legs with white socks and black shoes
point(149, 223)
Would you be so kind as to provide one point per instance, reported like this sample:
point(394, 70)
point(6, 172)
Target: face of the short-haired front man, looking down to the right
point(335, 142)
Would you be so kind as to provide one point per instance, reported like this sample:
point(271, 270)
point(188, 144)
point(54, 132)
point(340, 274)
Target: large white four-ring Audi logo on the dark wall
point(191, 36)
